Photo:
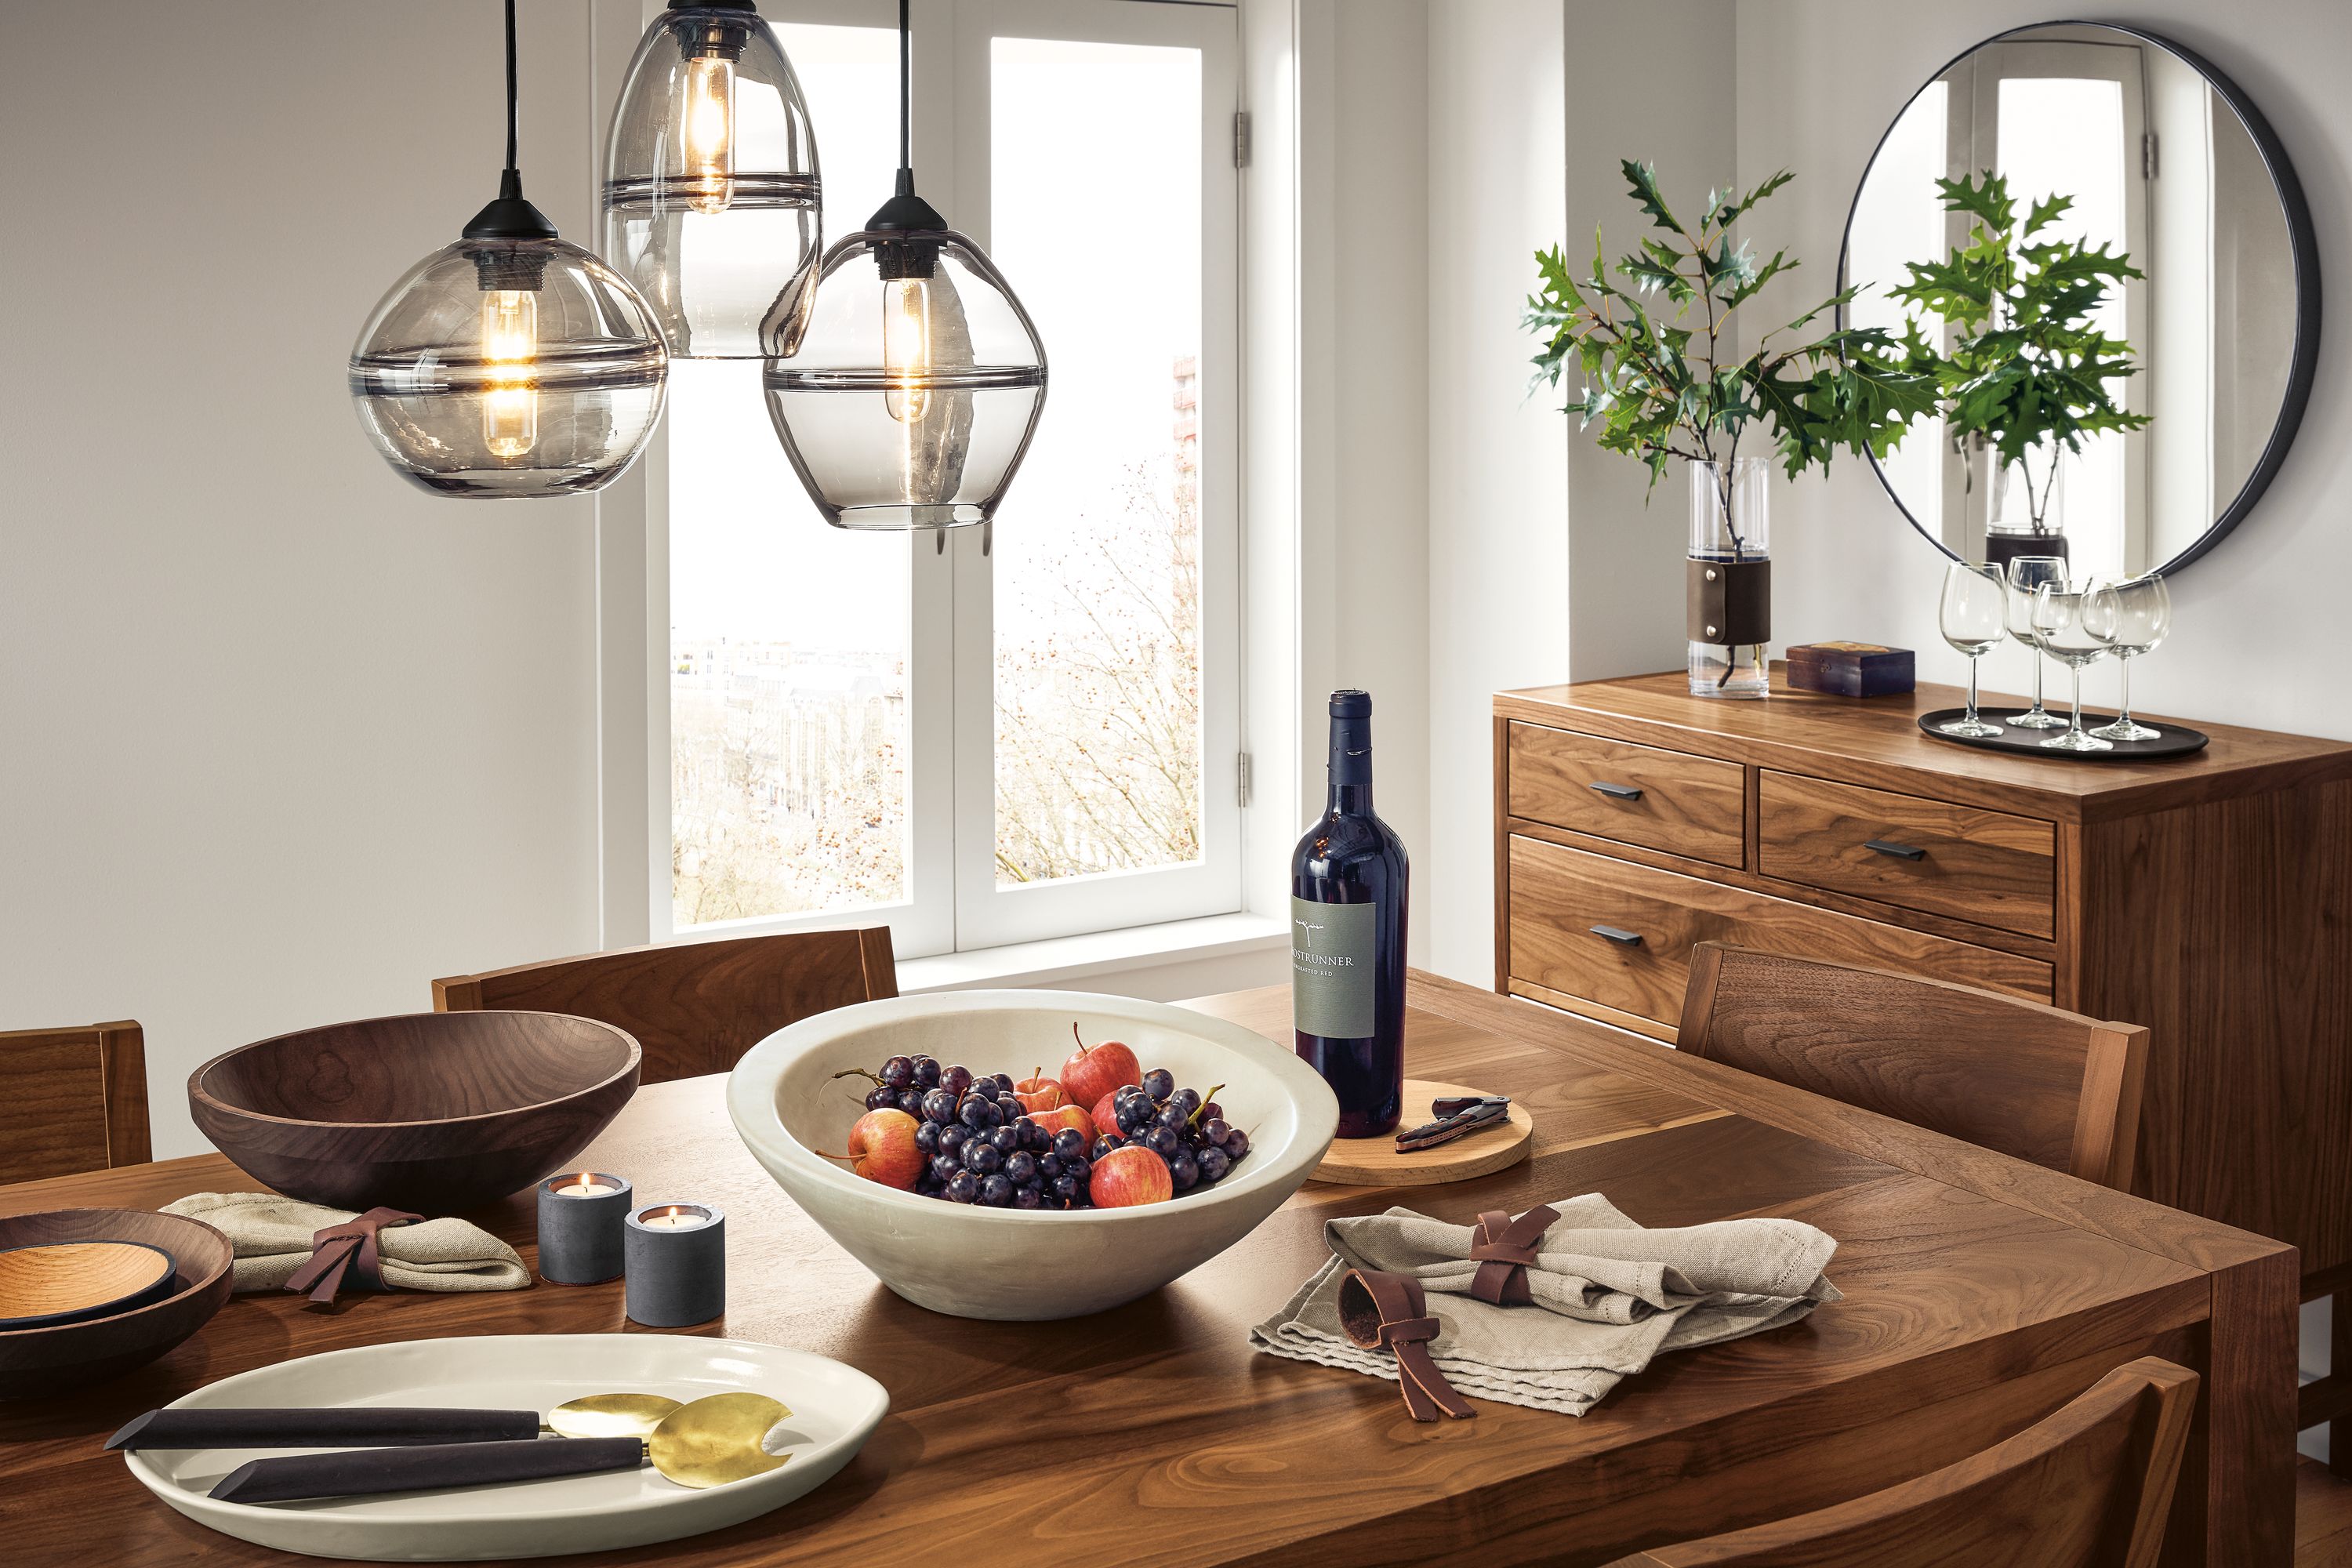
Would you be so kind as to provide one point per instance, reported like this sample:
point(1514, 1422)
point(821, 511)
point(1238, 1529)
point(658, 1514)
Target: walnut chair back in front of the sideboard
point(1989, 1068)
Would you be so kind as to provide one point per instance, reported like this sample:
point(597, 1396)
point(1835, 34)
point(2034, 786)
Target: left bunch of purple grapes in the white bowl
point(982, 1146)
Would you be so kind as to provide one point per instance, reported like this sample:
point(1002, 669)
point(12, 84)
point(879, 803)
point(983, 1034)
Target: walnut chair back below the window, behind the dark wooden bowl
point(695, 1007)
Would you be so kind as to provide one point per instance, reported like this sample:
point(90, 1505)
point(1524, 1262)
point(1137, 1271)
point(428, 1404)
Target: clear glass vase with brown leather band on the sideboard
point(1730, 577)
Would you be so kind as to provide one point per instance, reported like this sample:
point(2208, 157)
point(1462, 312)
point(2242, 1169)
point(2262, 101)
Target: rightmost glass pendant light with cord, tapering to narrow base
point(918, 382)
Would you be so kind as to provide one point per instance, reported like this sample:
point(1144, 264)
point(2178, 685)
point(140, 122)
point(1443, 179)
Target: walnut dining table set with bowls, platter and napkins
point(1979, 1294)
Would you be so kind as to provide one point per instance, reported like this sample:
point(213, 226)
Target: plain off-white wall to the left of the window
point(283, 737)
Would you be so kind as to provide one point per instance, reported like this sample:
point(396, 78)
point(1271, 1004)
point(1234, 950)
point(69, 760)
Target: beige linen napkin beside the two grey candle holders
point(272, 1238)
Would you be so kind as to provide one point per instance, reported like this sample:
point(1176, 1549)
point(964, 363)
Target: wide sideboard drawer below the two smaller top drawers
point(1622, 934)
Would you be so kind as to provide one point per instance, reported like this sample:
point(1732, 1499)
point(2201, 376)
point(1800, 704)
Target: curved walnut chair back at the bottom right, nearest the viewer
point(2087, 1487)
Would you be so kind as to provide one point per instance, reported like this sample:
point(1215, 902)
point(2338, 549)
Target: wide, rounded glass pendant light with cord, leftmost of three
point(509, 363)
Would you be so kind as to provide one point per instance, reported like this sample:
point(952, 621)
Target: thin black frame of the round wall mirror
point(2299, 234)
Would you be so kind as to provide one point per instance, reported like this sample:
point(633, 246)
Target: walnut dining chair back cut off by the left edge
point(74, 1101)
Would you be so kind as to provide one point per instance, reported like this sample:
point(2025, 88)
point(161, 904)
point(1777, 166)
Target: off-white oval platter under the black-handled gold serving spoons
point(834, 1412)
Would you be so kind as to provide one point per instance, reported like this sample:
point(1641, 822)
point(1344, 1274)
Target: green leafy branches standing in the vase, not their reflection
point(1664, 391)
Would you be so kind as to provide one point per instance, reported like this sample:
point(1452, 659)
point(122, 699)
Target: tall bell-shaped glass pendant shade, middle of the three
point(711, 192)
